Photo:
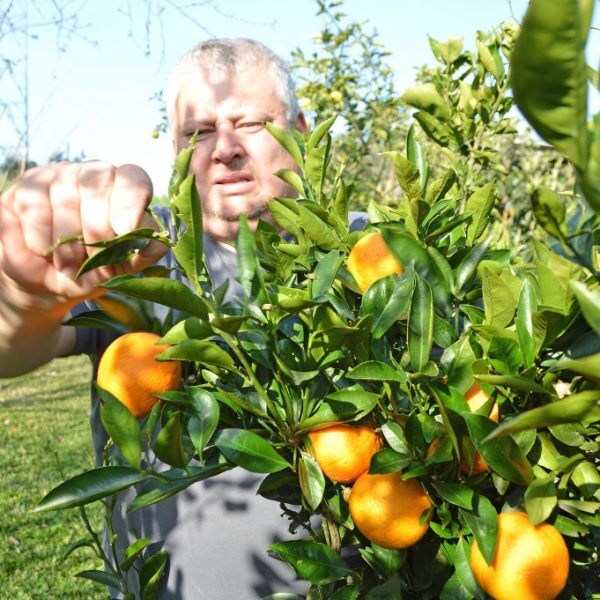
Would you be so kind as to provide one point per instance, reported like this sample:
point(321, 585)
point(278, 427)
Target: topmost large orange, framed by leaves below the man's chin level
point(370, 260)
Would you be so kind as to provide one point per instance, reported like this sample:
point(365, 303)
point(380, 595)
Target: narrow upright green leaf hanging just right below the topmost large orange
point(420, 324)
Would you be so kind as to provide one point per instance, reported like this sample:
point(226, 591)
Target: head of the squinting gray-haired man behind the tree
point(227, 89)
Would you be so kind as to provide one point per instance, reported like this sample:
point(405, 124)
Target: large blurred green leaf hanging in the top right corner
point(548, 76)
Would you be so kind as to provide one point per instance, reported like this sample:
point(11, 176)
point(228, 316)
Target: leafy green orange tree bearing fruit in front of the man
point(306, 349)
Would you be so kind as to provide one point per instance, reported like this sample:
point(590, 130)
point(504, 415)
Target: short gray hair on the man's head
point(226, 55)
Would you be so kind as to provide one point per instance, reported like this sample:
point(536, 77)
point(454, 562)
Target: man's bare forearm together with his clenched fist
point(94, 200)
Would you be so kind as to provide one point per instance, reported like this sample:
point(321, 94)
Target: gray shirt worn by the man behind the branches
point(217, 531)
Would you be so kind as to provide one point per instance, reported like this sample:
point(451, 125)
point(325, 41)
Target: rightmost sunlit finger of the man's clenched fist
point(131, 193)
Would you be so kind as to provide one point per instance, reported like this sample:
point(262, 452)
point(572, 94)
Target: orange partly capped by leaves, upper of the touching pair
point(344, 451)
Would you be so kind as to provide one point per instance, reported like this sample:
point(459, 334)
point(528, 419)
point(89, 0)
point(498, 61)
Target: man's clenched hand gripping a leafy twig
point(93, 201)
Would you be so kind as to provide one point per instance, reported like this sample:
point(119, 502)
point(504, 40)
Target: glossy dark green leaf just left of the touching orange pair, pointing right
point(248, 450)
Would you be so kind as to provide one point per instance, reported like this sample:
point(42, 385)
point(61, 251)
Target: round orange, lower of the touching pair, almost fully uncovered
point(388, 510)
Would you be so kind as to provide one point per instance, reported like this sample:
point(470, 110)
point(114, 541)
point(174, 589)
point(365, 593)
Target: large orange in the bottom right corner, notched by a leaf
point(531, 562)
